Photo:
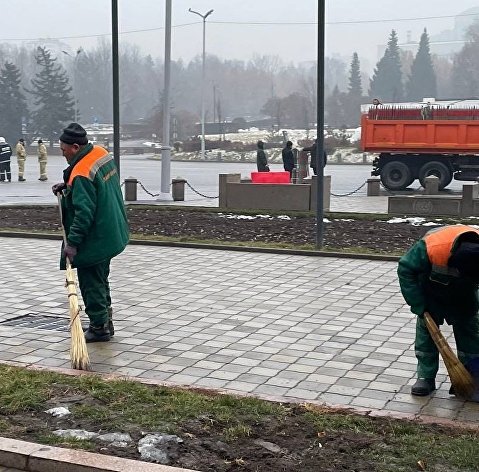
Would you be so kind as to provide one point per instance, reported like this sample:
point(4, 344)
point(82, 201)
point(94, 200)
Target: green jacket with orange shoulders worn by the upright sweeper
point(94, 215)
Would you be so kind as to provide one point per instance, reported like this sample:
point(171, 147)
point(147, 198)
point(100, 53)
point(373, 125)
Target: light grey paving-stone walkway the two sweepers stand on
point(320, 329)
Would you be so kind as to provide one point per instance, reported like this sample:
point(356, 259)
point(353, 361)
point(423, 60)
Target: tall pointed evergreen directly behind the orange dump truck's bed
point(422, 81)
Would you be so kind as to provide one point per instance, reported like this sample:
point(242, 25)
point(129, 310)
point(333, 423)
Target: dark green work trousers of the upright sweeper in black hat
point(95, 291)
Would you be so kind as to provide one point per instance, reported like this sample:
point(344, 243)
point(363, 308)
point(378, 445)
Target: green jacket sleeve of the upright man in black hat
point(84, 202)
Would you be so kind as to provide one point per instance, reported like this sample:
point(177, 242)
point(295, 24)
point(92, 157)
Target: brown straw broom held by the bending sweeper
point(461, 379)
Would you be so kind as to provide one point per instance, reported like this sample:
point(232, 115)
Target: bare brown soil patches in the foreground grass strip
point(291, 444)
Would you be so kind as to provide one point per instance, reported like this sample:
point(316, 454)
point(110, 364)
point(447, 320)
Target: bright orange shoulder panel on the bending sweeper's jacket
point(439, 244)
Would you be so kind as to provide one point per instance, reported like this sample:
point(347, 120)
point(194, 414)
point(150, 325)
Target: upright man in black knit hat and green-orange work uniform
point(95, 224)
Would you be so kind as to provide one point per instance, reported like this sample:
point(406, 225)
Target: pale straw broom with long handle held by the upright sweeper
point(78, 350)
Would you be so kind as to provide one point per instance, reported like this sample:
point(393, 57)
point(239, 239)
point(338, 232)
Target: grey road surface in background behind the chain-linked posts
point(203, 176)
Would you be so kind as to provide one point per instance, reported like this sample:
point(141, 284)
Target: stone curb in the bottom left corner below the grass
point(31, 457)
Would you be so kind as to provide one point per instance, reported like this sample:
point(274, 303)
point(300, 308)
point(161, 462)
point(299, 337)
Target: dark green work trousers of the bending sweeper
point(466, 334)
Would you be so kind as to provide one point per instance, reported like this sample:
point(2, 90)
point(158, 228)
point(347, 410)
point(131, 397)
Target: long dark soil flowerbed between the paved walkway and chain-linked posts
point(377, 236)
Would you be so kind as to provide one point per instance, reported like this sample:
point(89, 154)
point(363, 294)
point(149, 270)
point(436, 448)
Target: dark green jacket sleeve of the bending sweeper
point(414, 267)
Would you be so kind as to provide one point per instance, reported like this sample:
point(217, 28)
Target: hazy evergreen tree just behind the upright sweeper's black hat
point(52, 93)
